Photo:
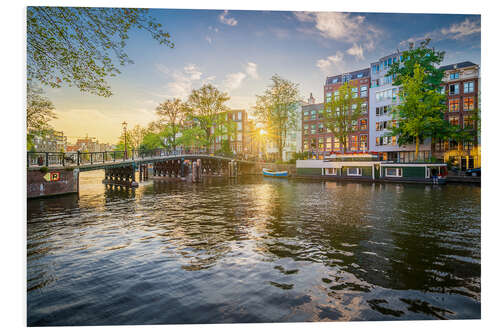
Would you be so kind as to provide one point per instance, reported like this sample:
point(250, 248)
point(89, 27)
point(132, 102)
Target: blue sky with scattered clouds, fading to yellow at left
point(238, 51)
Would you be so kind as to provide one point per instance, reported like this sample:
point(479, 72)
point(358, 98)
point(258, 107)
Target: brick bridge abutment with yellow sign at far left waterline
point(44, 182)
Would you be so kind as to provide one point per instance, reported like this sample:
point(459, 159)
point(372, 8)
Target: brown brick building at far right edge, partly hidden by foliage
point(461, 84)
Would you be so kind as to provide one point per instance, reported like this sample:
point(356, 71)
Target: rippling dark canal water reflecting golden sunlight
point(253, 250)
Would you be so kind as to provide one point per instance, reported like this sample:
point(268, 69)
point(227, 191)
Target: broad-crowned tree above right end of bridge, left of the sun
point(205, 107)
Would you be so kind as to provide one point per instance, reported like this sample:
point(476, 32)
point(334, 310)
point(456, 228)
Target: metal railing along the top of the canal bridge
point(52, 159)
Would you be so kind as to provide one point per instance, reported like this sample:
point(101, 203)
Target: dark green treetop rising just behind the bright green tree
point(427, 58)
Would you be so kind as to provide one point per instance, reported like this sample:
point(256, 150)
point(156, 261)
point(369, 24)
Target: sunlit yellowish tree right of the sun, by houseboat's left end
point(277, 109)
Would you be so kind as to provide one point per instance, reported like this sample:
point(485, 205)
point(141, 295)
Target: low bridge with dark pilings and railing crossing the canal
point(51, 173)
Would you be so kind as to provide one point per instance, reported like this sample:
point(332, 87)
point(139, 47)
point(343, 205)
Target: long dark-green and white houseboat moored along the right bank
point(368, 167)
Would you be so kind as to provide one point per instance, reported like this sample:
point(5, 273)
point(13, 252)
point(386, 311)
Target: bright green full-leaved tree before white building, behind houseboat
point(420, 112)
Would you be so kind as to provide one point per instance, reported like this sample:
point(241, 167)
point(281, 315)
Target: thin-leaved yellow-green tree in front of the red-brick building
point(342, 113)
